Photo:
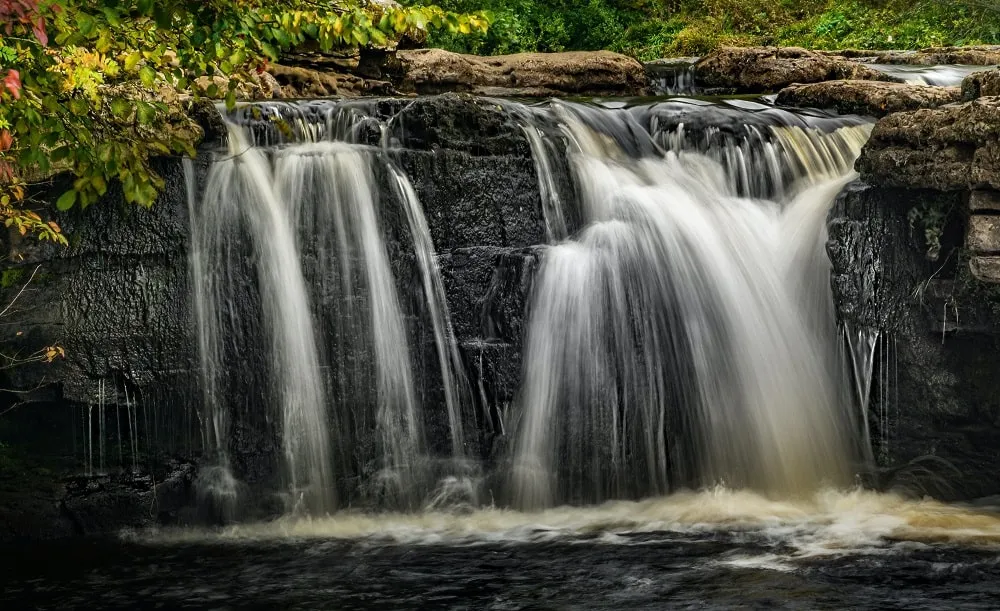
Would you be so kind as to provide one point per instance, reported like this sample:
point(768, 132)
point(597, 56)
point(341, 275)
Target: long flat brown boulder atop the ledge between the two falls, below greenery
point(430, 71)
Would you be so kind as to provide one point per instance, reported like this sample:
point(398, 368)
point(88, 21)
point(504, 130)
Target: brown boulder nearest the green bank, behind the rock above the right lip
point(766, 69)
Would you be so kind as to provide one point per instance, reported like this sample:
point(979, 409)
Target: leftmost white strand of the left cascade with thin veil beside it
point(241, 192)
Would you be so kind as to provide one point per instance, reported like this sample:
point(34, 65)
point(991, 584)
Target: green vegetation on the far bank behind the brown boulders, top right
point(648, 29)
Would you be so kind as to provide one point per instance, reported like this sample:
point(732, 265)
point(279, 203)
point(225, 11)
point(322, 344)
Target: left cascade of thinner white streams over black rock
point(307, 218)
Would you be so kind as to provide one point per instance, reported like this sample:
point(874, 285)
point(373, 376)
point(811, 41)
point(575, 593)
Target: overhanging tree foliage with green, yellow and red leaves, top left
point(83, 83)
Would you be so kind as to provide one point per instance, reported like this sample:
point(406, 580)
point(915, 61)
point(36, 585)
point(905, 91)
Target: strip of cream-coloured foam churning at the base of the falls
point(830, 522)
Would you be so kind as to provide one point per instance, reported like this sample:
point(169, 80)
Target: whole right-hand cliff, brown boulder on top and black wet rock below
point(915, 259)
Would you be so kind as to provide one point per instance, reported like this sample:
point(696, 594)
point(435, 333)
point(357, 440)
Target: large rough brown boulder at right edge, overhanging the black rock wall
point(953, 147)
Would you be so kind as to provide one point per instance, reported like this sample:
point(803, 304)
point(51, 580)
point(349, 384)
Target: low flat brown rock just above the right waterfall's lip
point(875, 98)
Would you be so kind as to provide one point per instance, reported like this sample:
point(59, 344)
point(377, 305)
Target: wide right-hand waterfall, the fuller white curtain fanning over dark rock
point(685, 337)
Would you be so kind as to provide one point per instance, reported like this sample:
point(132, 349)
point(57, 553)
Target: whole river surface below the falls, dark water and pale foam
point(718, 549)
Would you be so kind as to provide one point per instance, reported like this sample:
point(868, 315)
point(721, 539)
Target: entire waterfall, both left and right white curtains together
point(680, 330)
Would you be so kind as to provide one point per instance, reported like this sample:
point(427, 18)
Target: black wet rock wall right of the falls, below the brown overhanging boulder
point(933, 414)
